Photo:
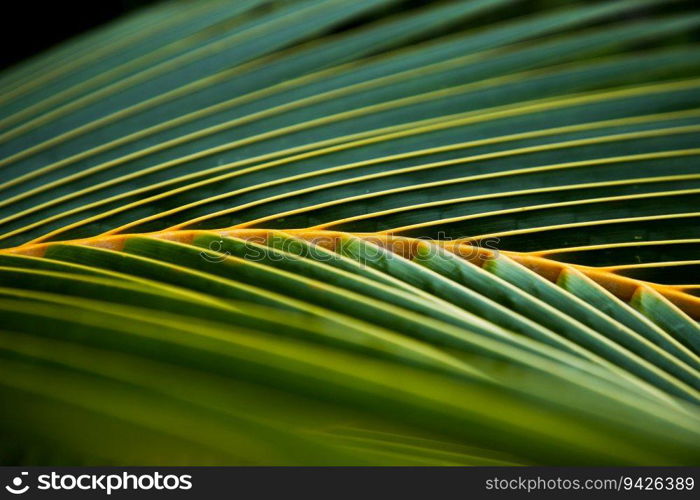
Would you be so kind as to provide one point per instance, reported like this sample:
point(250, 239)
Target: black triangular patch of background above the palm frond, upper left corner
point(30, 27)
